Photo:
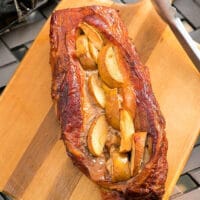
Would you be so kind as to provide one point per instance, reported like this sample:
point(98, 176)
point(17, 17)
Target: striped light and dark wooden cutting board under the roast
point(33, 162)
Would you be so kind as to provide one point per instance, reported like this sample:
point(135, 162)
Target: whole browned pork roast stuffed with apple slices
point(111, 123)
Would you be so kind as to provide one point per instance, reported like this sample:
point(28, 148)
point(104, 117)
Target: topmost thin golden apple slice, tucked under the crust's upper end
point(93, 35)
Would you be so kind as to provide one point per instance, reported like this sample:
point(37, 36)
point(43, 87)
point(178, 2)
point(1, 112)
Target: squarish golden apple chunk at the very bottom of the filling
point(120, 166)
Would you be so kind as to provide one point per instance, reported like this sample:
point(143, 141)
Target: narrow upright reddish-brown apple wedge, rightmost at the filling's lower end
point(139, 139)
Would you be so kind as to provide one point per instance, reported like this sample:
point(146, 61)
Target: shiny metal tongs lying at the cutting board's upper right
point(168, 14)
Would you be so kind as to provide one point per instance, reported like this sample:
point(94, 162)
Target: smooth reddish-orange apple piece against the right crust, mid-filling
point(129, 99)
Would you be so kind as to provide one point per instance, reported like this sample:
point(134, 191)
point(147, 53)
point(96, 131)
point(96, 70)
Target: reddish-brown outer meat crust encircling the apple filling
point(68, 96)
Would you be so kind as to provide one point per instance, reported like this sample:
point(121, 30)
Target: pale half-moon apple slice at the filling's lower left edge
point(97, 135)
